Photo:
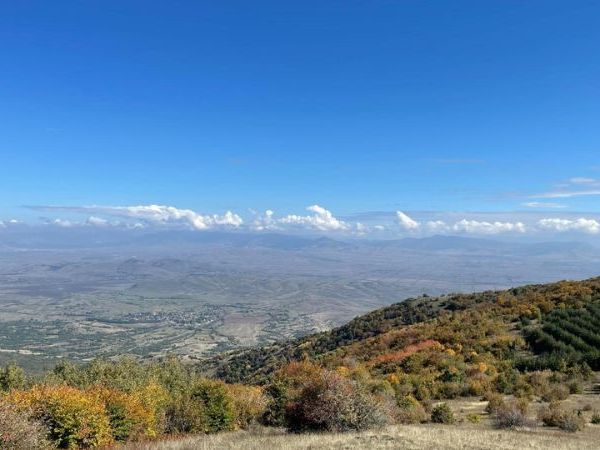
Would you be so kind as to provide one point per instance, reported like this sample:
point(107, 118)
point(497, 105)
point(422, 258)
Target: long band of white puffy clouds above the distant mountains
point(318, 219)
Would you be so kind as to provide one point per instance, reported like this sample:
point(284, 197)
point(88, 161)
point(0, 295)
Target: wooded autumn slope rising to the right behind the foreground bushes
point(486, 328)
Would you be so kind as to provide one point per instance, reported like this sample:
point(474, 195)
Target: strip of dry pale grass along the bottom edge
point(406, 437)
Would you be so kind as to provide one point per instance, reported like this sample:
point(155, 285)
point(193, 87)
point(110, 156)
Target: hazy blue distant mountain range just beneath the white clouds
point(57, 238)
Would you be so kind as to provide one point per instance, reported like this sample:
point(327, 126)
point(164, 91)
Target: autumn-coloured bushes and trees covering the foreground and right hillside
point(404, 364)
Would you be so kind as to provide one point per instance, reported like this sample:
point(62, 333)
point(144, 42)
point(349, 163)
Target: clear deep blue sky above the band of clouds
point(357, 106)
